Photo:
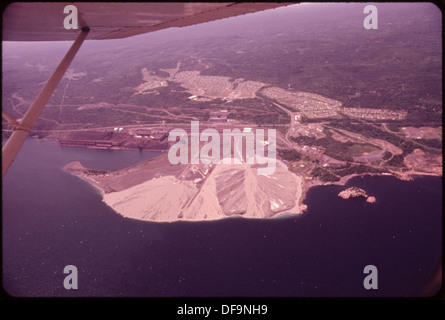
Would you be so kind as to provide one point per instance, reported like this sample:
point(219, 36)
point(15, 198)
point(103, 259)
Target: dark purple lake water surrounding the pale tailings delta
point(52, 219)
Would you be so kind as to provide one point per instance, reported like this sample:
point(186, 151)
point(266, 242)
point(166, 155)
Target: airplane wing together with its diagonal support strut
point(43, 21)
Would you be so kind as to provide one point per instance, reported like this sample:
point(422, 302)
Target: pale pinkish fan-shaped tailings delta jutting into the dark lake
point(155, 190)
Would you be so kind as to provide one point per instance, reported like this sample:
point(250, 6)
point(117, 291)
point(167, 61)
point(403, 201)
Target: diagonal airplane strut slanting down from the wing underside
point(20, 133)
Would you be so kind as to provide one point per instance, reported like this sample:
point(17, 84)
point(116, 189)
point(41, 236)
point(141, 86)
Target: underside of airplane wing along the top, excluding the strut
point(43, 21)
